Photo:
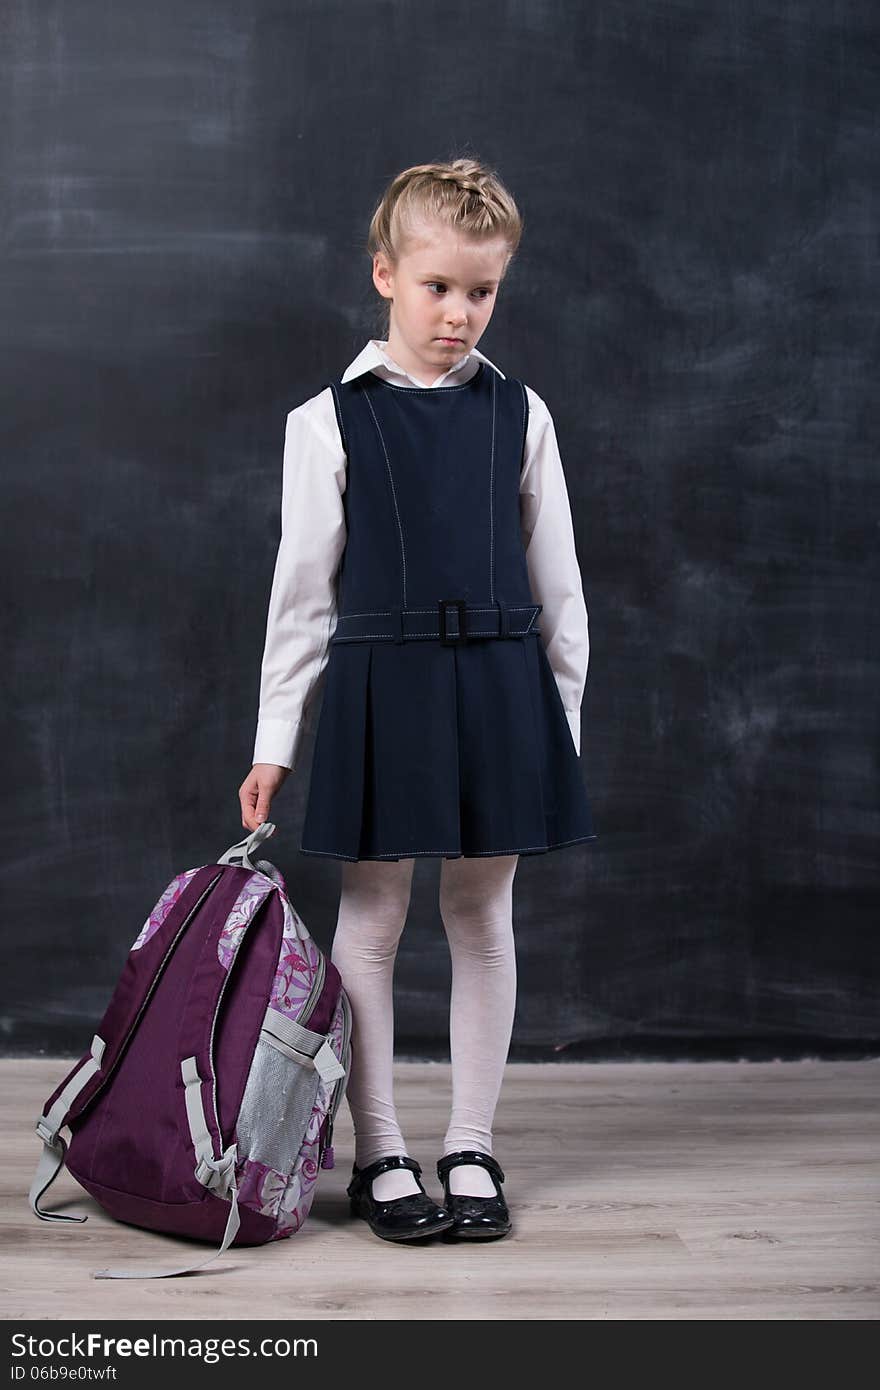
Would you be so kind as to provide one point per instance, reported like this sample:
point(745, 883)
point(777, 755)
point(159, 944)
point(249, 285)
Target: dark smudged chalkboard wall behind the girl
point(187, 193)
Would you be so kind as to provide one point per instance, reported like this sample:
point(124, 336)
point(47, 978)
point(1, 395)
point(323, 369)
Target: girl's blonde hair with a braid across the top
point(461, 194)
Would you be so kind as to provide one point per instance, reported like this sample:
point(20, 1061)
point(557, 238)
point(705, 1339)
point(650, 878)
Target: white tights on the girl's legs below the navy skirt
point(476, 903)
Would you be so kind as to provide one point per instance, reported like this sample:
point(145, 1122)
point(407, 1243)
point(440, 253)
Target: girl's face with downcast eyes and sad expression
point(443, 294)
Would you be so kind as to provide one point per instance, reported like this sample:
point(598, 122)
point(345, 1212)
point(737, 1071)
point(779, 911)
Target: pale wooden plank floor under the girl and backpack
point(637, 1192)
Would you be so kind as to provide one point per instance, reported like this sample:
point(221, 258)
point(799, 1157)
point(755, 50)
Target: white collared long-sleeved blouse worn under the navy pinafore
point(302, 608)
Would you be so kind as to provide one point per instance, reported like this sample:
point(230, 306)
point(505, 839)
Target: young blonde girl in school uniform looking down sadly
point(427, 583)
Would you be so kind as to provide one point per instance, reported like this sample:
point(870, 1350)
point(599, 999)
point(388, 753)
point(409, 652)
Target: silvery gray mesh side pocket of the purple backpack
point(276, 1109)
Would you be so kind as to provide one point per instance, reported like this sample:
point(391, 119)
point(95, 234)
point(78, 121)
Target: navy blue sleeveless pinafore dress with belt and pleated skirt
point(443, 732)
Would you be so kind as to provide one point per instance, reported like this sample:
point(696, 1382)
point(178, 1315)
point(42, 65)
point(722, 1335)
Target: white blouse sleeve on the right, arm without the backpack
point(554, 572)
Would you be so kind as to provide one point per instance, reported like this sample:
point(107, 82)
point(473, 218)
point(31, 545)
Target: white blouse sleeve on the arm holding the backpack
point(302, 608)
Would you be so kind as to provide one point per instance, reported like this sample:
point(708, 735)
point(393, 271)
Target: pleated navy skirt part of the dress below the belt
point(425, 750)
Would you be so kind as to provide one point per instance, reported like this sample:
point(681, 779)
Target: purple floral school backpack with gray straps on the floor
point(206, 1103)
